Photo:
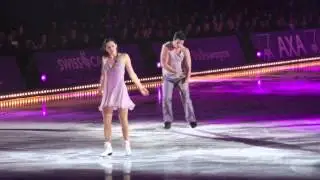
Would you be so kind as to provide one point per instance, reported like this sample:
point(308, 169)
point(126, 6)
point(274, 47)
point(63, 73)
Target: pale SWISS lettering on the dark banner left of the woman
point(78, 62)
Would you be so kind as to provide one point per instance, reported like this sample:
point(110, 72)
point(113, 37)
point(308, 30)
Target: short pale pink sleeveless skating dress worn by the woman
point(115, 92)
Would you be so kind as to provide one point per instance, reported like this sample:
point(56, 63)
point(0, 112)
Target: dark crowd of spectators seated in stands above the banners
point(60, 24)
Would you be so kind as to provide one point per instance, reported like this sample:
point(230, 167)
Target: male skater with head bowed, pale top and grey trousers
point(176, 71)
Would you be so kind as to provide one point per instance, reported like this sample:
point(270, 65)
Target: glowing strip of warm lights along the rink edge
point(28, 98)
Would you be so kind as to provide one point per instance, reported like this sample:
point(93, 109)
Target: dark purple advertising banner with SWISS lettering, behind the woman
point(77, 67)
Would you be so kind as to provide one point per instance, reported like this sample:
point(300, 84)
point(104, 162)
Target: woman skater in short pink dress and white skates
point(115, 93)
